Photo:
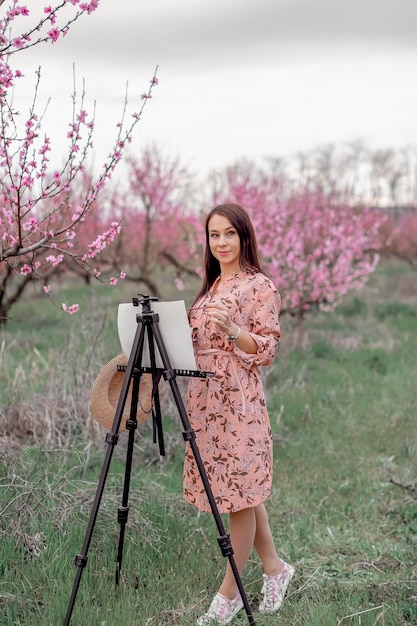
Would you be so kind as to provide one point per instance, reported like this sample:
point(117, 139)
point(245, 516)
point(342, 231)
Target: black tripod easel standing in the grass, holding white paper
point(148, 326)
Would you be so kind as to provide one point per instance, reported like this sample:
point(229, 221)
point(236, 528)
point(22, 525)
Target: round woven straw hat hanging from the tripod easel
point(106, 392)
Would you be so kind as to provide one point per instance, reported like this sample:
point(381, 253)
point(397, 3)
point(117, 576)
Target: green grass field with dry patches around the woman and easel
point(342, 400)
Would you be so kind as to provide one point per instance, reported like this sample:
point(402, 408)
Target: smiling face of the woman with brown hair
point(224, 243)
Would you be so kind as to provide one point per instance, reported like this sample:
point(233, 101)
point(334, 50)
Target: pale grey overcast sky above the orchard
point(241, 78)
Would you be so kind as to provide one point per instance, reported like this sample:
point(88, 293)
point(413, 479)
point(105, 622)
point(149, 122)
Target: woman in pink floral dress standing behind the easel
point(235, 328)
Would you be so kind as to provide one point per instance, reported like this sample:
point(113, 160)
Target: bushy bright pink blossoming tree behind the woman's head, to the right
point(316, 247)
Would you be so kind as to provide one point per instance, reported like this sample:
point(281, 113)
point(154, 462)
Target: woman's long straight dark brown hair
point(249, 259)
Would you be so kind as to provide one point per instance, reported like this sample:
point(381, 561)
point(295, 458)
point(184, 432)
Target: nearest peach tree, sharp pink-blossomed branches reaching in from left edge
point(40, 223)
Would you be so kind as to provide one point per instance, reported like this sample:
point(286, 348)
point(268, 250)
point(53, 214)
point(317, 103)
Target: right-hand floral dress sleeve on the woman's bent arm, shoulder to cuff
point(263, 307)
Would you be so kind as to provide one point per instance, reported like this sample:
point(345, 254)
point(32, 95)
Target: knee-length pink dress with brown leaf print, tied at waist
point(228, 411)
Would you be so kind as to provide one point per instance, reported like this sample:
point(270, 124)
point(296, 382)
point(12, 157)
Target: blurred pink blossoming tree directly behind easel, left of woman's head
point(158, 230)
